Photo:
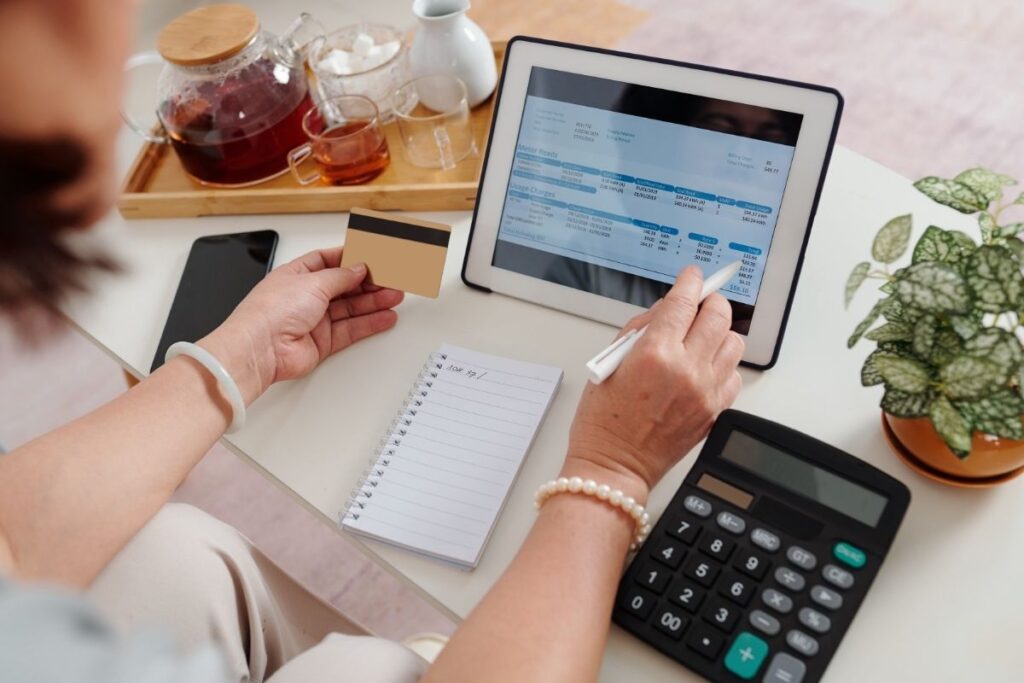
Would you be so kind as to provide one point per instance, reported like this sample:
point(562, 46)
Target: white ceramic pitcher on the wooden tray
point(449, 42)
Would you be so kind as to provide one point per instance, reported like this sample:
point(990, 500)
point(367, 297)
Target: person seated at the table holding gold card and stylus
point(87, 541)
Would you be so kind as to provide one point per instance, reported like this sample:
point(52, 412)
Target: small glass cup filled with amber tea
point(346, 142)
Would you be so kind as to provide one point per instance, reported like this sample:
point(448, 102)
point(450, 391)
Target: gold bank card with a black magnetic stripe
point(401, 253)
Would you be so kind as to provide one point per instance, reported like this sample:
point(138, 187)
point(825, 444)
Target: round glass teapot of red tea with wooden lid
point(232, 97)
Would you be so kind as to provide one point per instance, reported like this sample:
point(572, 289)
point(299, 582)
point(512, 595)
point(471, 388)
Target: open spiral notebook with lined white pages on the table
point(447, 463)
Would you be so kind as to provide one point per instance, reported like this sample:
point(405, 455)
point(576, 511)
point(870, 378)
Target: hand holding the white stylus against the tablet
point(630, 431)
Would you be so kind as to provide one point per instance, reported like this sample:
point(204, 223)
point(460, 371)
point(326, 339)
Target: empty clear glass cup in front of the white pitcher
point(434, 119)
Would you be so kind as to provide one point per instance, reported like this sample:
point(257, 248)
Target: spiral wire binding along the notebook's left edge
point(377, 465)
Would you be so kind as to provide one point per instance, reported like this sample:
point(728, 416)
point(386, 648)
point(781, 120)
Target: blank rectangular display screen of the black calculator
point(800, 477)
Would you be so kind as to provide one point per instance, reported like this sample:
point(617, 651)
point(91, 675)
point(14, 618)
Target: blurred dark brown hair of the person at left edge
point(36, 267)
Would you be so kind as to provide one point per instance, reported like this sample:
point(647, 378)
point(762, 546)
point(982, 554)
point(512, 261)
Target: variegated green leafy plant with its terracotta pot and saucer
point(948, 330)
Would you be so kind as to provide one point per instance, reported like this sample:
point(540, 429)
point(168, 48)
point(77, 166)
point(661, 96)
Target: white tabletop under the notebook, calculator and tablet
point(948, 605)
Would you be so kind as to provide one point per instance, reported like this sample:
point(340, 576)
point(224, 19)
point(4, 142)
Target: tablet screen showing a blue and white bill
point(615, 188)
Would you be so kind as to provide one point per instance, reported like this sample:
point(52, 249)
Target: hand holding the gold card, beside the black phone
point(300, 315)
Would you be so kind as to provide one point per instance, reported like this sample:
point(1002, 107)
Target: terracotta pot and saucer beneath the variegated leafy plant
point(993, 460)
